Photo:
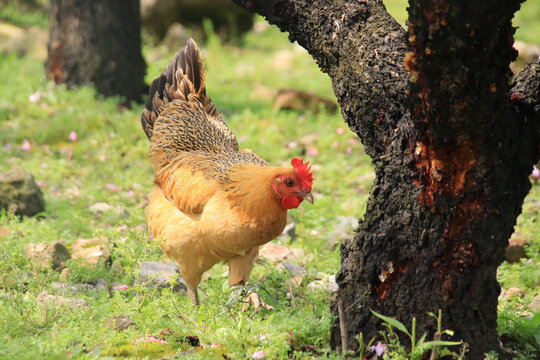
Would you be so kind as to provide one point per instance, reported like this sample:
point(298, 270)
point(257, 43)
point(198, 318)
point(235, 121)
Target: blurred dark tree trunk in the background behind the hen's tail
point(97, 42)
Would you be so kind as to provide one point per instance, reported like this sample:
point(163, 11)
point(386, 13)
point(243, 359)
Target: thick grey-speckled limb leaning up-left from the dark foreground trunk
point(361, 47)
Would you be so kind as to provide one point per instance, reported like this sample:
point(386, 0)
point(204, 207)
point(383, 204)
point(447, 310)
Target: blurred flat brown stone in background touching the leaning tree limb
point(289, 99)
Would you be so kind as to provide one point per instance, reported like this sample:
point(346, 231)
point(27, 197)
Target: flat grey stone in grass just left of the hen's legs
point(158, 274)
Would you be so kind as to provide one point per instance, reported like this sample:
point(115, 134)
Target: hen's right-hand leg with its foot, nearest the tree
point(239, 271)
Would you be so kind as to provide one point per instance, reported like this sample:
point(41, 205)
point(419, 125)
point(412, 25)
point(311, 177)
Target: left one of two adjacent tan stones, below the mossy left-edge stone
point(48, 254)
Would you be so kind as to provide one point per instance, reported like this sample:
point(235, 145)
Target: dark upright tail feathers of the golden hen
point(183, 79)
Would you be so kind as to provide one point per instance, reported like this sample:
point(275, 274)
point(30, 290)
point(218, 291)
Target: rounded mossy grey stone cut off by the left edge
point(19, 193)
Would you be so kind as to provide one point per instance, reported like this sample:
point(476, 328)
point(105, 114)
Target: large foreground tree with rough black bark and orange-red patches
point(452, 143)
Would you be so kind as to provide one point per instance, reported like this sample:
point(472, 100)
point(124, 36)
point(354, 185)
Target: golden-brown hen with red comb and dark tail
point(211, 202)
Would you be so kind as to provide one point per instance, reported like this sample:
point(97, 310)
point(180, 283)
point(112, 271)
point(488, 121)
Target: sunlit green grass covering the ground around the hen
point(108, 163)
